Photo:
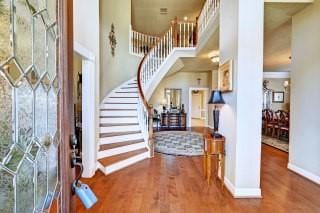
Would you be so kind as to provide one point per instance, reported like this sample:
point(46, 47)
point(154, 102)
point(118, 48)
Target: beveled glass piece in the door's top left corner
point(5, 31)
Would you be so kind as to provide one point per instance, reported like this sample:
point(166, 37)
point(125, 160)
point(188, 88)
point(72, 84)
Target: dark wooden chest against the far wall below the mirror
point(173, 121)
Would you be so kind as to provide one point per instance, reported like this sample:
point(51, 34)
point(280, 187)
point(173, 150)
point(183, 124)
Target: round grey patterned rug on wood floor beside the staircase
point(179, 143)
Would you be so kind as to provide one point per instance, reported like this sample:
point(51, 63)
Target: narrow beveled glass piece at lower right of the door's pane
point(52, 167)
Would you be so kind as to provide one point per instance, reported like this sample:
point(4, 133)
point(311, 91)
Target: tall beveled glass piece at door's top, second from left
point(23, 34)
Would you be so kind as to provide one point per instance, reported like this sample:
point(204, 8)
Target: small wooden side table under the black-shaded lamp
point(213, 146)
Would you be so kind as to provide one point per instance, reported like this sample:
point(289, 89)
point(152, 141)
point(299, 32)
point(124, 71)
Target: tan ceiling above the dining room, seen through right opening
point(277, 42)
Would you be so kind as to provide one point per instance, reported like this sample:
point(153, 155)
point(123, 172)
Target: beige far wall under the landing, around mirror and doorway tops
point(180, 80)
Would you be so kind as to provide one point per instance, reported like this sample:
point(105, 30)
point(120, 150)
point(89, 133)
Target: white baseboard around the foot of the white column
point(242, 192)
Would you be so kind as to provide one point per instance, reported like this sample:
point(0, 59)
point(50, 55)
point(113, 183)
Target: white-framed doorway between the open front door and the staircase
point(84, 99)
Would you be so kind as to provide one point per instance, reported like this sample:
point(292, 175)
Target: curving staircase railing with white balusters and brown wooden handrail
point(179, 35)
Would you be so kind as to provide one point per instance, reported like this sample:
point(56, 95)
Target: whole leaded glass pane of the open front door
point(29, 136)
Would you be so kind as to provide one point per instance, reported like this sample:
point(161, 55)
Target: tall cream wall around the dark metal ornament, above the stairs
point(123, 66)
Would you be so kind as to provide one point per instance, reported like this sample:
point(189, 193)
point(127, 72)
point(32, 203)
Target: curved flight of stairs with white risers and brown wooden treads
point(121, 141)
